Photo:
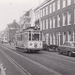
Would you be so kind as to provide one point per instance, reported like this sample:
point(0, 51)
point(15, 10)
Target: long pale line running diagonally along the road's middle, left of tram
point(36, 63)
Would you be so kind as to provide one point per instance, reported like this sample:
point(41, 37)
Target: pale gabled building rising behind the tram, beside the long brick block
point(27, 19)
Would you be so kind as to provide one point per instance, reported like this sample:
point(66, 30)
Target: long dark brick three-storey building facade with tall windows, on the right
point(56, 18)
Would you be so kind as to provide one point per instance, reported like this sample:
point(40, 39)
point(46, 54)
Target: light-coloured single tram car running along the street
point(29, 40)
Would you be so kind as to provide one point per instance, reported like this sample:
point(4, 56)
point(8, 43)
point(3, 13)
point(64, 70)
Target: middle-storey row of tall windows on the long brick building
point(51, 22)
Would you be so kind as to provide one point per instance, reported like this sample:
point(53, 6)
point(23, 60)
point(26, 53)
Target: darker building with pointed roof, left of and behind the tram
point(11, 30)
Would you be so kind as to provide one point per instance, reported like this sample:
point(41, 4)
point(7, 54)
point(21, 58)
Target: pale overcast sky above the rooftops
point(13, 9)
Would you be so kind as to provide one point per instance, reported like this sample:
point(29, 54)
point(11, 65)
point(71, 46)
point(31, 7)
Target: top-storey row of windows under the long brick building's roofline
point(52, 7)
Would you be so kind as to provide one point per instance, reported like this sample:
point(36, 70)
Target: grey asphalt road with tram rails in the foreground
point(41, 63)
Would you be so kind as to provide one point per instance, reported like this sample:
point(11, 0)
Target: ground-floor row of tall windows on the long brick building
point(53, 38)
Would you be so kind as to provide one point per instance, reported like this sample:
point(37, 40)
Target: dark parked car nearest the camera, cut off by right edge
point(67, 48)
